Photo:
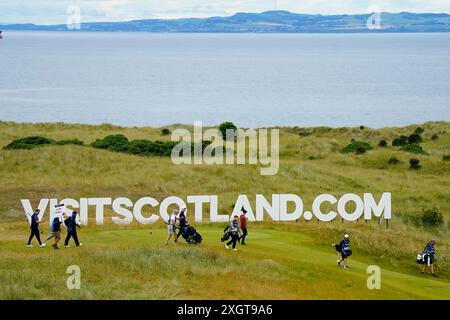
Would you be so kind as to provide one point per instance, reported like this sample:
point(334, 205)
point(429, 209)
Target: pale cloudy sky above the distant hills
point(54, 11)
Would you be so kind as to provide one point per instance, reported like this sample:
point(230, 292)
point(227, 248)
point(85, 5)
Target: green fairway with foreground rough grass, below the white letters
point(135, 264)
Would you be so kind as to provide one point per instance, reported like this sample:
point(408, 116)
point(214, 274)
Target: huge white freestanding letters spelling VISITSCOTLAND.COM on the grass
point(281, 207)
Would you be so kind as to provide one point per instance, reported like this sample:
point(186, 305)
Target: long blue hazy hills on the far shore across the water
point(269, 21)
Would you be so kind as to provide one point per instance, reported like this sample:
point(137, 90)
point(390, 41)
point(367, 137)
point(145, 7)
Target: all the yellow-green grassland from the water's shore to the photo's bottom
point(300, 253)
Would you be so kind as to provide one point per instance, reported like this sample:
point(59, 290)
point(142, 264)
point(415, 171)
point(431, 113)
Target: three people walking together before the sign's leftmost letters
point(70, 221)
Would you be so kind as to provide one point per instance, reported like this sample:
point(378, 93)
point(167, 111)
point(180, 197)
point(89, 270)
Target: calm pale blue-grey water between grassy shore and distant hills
point(138, 79)
